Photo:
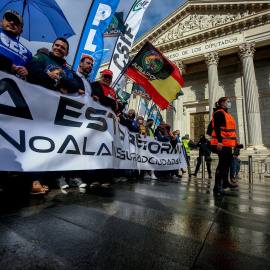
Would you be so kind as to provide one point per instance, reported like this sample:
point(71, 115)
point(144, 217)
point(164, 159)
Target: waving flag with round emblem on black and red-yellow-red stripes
point(160, 78)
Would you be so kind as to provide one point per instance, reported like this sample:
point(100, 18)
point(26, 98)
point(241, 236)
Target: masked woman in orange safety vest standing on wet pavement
point(223, 138)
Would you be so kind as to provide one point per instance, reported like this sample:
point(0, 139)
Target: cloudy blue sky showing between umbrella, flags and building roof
point(76, 13)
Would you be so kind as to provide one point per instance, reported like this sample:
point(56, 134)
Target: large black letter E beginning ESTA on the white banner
point(62, 111)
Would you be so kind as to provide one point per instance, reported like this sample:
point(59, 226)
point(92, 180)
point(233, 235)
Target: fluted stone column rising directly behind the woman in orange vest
point(212, 60)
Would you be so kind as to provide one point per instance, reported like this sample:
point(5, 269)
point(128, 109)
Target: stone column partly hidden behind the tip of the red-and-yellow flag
point(178, 104)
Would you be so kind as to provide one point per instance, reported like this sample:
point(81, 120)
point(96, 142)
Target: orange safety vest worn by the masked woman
point(228, 133)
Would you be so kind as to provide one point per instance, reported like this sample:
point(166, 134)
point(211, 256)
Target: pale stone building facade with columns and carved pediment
point(222, 48)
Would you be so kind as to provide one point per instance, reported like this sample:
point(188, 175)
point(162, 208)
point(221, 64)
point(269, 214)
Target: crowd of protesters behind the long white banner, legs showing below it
point(49, 69)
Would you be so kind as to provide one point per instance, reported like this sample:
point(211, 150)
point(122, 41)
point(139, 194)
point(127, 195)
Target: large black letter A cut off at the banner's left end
point(21, 108)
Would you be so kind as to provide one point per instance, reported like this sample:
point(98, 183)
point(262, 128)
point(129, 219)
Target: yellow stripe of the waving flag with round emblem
point(167, 88)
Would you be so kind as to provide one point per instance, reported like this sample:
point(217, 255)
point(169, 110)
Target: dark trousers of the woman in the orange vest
point(225, 160)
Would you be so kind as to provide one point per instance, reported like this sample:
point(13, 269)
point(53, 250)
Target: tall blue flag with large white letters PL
point(91, 42)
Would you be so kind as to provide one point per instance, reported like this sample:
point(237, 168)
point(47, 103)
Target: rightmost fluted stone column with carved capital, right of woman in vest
point(246, 53)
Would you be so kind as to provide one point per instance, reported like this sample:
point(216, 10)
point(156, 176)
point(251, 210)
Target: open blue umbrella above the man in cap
point(43, 19)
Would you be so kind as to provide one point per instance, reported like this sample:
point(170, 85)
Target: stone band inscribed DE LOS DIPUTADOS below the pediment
point(213, 45)
